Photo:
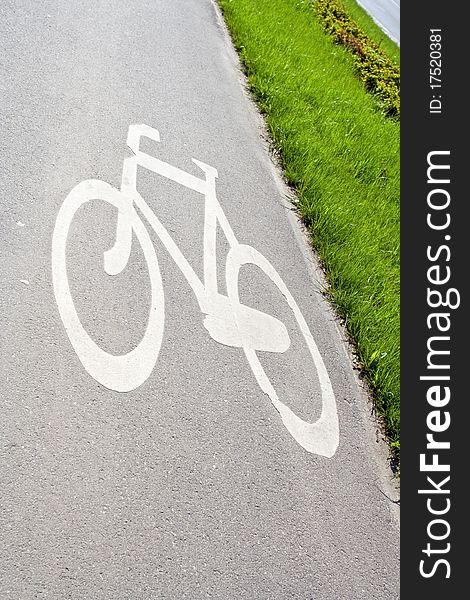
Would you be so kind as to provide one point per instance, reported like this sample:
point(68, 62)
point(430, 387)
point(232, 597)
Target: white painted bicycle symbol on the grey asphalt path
point(227, 320)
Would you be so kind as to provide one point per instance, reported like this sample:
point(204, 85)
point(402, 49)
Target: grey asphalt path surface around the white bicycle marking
point(189, 486)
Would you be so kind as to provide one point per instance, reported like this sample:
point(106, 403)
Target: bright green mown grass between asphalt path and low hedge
point(341, 155)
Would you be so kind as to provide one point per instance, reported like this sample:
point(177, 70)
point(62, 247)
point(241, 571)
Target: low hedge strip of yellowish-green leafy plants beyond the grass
point(379, 74)
